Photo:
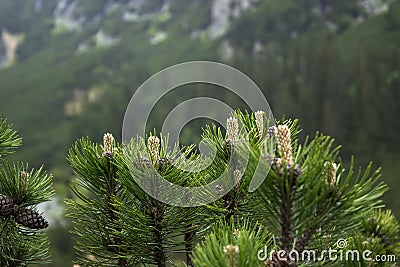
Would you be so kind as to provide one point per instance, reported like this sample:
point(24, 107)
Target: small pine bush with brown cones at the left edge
point(22, 241)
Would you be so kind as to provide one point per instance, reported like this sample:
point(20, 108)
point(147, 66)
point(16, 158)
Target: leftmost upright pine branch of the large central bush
point(96, 216)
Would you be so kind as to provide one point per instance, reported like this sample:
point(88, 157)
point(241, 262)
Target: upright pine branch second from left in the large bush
point(150, 221)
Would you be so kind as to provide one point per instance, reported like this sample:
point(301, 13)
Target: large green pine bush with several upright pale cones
point(307, 201)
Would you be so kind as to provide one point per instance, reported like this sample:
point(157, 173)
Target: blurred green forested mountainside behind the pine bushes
point(334, 64)
